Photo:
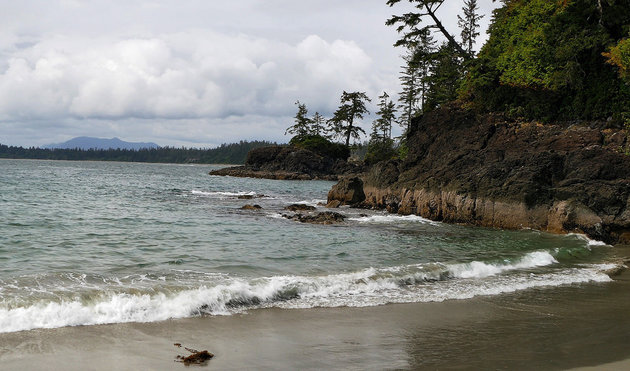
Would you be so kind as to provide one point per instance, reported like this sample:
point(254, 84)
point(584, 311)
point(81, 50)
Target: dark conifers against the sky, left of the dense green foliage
point(429, 78)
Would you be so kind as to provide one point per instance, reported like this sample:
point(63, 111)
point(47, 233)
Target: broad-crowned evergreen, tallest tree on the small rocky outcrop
point(343, 121)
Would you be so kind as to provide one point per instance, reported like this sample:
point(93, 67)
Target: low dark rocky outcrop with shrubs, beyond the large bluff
point(288, 163)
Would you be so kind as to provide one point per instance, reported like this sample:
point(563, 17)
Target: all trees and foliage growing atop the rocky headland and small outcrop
point(544, 61)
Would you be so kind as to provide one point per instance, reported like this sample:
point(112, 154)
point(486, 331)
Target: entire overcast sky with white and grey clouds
point(194, 73)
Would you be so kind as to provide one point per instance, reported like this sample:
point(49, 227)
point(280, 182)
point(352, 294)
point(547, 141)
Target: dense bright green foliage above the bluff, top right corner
point(544, 60)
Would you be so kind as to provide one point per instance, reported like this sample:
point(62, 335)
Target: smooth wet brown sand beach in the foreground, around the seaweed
point(550, 329)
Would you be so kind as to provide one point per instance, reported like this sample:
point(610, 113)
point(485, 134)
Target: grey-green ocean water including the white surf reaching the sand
point(84, 243)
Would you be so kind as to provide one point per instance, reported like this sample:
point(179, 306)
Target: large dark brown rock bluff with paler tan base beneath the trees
point(488, 171)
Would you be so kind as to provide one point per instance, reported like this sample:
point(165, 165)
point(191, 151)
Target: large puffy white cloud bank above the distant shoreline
point(208, 76)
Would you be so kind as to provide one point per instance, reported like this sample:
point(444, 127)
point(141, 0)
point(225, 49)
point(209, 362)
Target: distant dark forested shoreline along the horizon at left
point(234, 153)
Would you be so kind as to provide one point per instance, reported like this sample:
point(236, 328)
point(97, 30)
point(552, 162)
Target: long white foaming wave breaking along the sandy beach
point(367, 287)
